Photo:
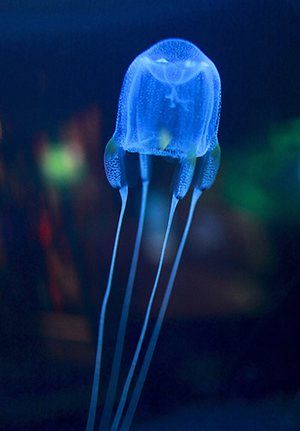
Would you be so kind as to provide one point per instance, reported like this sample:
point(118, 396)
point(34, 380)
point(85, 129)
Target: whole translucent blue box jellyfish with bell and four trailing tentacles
point(169, 106)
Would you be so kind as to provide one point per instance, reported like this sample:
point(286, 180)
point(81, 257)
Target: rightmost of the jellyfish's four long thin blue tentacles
point(155, 334)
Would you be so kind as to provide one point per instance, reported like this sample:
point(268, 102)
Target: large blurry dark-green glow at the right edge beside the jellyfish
point(264, 177)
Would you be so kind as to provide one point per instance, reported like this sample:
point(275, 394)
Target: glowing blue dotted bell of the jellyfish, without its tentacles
point(170, 102)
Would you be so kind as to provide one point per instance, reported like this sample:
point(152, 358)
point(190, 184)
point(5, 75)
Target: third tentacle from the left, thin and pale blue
point(124, 394)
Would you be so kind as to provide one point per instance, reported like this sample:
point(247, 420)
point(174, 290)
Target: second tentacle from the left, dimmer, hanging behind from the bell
point(114, 375)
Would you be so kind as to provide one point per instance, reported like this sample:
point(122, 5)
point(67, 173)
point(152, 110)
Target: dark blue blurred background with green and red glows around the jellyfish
point(228, 356)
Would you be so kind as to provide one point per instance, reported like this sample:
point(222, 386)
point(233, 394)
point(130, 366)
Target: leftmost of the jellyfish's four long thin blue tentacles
point(96, 379)
